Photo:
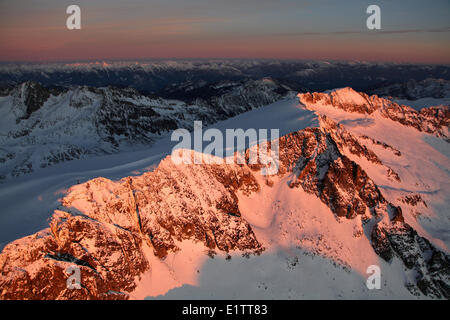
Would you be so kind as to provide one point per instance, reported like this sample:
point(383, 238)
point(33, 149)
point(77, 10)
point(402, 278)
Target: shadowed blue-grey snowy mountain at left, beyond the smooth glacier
point(41, 126)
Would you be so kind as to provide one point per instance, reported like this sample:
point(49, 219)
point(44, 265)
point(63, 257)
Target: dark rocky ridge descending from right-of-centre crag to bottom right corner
point(340, 183)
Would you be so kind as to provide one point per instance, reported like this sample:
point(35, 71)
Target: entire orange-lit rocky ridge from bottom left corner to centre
point(106, 225)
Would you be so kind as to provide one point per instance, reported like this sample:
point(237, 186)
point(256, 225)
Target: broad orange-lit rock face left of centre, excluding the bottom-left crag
point(174, 203)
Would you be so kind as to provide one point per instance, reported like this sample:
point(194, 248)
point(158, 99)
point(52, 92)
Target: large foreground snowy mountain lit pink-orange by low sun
point(362, 181)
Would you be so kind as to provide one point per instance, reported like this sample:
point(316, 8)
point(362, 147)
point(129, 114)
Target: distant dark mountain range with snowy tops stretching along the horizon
point(155, 76)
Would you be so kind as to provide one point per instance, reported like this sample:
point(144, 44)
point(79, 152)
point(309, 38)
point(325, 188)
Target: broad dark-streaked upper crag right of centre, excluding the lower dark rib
point(316, 158)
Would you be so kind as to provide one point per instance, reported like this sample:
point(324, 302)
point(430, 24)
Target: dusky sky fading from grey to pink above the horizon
point(411, 30)
